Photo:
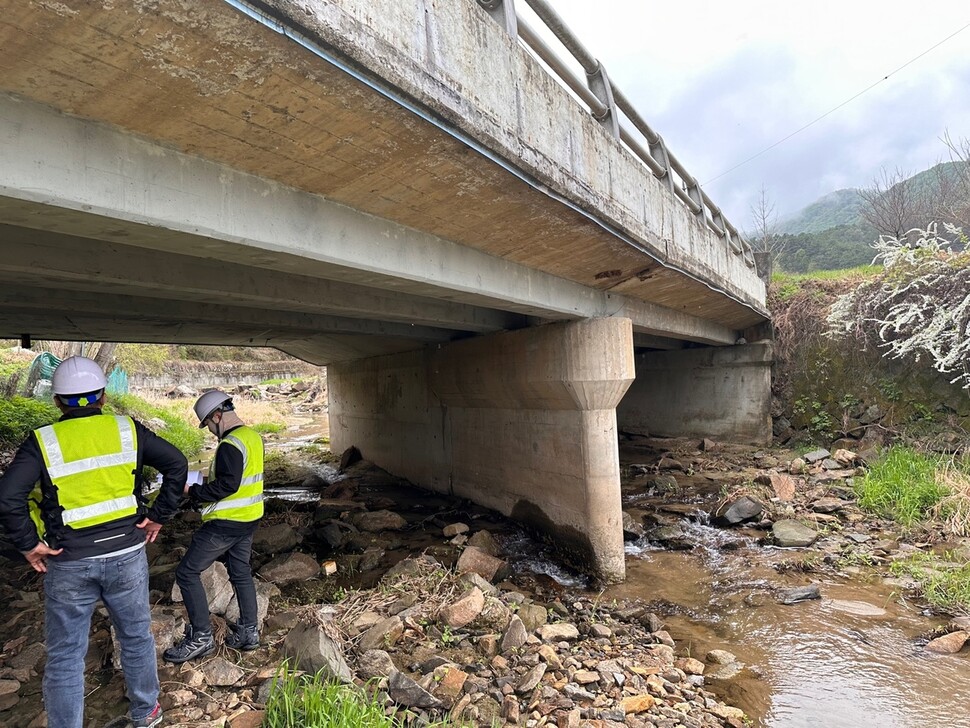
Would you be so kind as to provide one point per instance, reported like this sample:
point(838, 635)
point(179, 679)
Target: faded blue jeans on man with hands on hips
point(72, 590)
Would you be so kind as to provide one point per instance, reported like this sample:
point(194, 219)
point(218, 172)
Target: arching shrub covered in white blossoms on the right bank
point(919, 308)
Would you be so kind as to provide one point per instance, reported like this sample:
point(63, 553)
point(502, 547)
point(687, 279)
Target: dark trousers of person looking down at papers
point(208, 545)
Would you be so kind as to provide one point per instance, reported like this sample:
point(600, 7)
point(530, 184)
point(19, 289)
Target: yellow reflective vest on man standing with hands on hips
point(91, 461)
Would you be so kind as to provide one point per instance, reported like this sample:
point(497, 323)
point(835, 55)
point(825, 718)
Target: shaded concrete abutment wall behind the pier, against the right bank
point(721, 392)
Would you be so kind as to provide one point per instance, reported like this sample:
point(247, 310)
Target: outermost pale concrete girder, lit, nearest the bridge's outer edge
point(153, 197)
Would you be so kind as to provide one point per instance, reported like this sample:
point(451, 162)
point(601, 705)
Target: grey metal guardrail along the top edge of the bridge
point(606, 103)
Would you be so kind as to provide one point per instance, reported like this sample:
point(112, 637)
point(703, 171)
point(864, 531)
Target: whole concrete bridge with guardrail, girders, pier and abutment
point(496, 267)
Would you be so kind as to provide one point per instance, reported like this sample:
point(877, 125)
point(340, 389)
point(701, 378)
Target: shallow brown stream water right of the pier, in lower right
point(852, 659)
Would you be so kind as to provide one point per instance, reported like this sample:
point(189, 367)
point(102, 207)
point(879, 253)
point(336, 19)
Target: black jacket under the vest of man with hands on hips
point(27, 468)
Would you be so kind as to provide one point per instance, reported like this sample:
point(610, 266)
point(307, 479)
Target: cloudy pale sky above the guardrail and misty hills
point(721, 81)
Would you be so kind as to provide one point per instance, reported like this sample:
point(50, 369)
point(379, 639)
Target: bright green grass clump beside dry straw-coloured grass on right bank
point(903, 485)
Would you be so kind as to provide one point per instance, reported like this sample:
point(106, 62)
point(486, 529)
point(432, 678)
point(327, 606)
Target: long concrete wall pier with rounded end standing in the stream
point(523, 422)
